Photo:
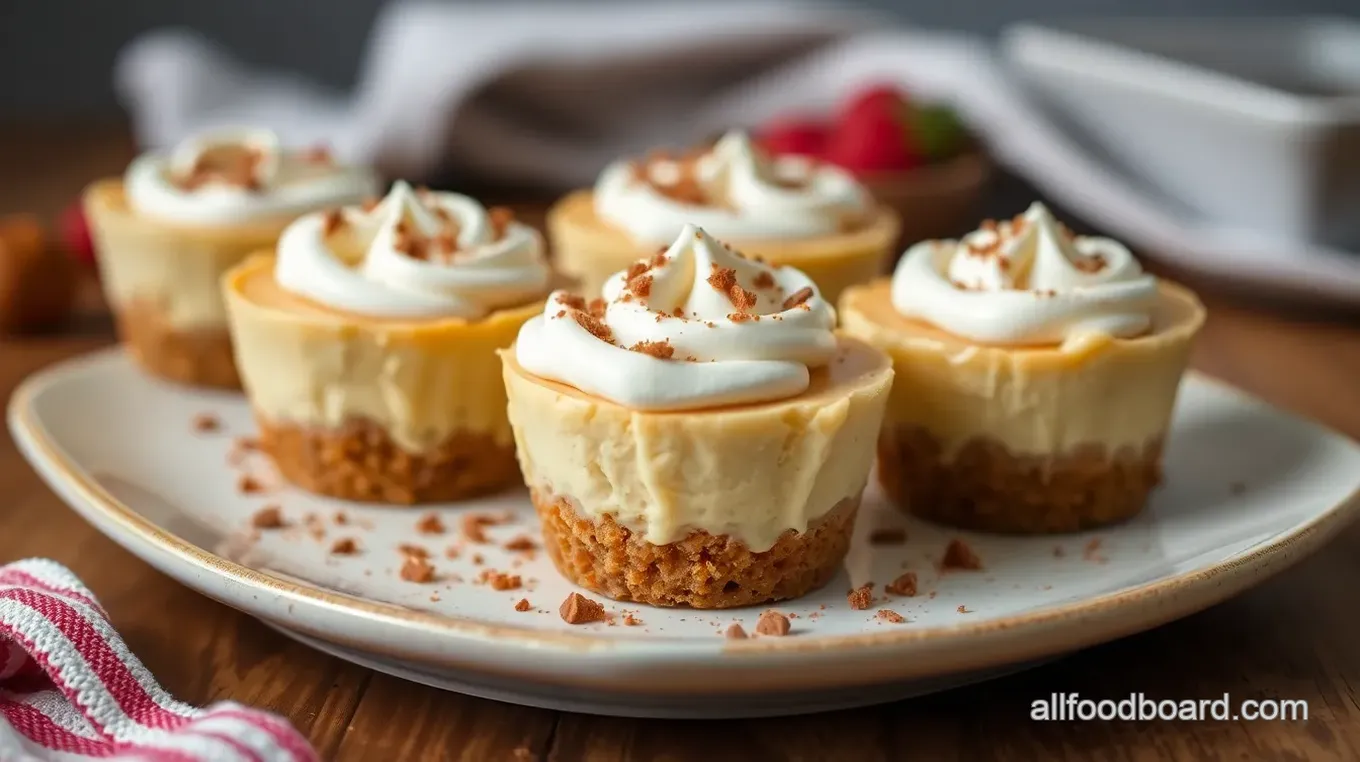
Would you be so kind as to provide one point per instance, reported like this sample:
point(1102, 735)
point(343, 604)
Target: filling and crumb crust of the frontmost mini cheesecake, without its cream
point(707, 508)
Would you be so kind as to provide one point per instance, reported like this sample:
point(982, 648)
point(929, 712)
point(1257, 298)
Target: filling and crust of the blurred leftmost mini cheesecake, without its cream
point(163, 282)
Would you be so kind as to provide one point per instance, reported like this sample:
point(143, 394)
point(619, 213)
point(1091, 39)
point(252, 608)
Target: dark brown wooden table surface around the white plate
point(1297, 636)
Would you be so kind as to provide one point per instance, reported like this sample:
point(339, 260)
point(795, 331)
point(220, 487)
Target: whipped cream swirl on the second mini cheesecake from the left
point(415, 255)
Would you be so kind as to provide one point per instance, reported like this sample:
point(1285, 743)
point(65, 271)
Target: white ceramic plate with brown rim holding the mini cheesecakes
point(1249, 491)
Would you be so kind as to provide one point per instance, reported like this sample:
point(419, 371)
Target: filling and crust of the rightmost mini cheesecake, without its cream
point(1025, 440)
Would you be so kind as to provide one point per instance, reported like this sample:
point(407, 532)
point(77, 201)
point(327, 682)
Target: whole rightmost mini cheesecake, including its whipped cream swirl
point(1036, 376)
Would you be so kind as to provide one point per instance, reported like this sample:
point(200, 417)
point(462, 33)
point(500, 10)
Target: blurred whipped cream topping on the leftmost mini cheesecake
point(241, 176)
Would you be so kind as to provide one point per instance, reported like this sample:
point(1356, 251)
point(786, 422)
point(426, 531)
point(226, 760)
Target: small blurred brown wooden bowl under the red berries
point(938, 201)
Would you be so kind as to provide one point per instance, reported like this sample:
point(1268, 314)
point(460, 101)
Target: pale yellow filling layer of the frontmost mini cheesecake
point(751, 474)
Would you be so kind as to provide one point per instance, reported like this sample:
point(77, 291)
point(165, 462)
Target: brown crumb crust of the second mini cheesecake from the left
point(362, 463)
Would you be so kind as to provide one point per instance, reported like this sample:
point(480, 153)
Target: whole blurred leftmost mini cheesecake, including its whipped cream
point(168, 231)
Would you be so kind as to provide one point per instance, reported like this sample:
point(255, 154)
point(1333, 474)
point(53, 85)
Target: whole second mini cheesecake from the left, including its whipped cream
point(368, 345)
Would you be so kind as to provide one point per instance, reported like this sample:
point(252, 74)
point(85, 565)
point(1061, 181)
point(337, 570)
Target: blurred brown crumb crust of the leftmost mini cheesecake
point(198, 359)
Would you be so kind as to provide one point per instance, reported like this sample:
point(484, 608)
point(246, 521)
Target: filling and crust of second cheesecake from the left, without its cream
point(373, 410)
